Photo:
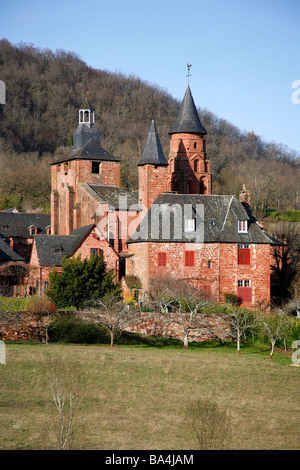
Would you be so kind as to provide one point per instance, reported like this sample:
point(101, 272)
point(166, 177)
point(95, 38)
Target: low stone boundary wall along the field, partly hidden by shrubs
point(22, 326)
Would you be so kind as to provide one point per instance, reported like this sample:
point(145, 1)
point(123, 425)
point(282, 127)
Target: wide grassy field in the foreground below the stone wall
point(135, 398)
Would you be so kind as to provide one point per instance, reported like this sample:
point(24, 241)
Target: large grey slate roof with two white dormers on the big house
point(216, 221)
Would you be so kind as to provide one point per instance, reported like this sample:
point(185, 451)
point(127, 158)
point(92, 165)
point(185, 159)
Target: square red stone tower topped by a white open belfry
point(87, 162)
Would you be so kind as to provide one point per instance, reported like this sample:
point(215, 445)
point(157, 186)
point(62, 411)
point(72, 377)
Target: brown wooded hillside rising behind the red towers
point(44, 91)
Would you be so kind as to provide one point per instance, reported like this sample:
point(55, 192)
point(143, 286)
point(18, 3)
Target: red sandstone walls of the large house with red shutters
point(219, 276)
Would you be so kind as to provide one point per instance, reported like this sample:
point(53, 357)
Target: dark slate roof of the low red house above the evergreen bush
point(51, 249)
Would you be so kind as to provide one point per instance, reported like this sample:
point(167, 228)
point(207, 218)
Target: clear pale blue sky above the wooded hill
point(245, 55)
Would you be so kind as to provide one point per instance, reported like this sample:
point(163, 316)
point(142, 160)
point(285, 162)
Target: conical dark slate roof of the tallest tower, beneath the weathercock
point(188, 120)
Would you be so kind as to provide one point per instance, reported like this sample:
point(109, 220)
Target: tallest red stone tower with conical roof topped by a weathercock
point(189, 169)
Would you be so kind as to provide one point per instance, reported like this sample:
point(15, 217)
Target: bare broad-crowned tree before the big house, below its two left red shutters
point(178, 302)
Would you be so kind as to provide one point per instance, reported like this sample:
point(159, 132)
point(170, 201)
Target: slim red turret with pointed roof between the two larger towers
point(153, 168)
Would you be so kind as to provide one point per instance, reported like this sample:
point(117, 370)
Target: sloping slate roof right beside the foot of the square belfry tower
point(113, 196)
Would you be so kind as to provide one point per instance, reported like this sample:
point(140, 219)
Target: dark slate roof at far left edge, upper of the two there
point(17, 224)
